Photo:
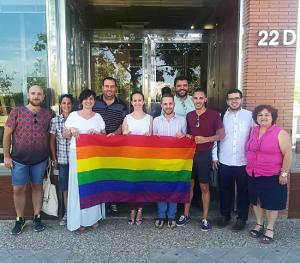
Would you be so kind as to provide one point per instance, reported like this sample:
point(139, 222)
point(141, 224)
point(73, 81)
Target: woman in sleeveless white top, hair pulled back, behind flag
point(137, 123)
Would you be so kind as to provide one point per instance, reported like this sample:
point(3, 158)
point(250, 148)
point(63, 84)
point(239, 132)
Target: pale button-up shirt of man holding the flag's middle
point(164, 127)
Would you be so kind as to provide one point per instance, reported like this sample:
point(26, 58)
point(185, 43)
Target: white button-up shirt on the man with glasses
point(232, 149)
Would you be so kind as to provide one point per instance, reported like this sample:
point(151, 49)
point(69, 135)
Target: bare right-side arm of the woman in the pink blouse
point(285, 145)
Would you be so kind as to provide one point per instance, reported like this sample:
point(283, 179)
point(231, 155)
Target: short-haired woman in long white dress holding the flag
point(79, 122)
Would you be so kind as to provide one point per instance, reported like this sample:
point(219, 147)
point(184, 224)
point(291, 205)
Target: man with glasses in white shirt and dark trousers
point(238, 123)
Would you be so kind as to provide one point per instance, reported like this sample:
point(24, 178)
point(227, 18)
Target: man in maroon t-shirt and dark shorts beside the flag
point(206, 127)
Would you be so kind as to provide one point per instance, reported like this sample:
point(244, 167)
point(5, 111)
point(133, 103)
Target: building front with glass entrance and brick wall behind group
point(68, 45)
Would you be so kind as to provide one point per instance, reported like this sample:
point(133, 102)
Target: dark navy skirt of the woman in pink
point(266, 189)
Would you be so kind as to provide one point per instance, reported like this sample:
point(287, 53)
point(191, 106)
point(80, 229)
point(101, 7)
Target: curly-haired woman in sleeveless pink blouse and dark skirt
point(269, 157)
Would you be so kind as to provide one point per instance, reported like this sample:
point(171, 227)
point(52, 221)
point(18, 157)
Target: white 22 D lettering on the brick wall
point(271, 38)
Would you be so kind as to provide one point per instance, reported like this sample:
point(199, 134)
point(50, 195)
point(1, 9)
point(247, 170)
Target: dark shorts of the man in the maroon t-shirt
point(202, 166)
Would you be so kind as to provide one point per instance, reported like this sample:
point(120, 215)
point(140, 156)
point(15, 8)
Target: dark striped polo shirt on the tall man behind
point(113, 115)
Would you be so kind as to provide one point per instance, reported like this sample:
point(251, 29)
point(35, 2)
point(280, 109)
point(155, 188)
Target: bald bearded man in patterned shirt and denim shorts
point(26, 132)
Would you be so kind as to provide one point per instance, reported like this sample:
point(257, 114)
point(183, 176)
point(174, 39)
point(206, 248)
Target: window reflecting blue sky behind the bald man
point(23, 54)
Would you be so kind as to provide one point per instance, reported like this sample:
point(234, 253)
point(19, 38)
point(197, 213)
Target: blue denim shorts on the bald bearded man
point(21, 174)
